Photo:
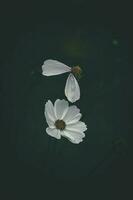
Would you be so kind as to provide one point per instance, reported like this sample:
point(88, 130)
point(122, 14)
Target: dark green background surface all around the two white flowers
point(96, 38)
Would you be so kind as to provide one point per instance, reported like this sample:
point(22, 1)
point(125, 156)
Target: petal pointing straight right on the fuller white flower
point(78, 127)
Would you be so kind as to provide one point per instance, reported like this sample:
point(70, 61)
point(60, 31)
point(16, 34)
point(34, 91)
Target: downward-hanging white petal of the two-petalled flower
point(72, 90)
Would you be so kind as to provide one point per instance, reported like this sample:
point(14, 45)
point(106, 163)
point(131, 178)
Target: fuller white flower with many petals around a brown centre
point(63, 120)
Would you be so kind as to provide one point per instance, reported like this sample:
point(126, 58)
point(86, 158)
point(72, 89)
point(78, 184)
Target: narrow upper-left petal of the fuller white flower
point(49, 109)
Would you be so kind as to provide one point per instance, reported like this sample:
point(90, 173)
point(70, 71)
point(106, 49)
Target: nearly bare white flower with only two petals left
point(54, 67)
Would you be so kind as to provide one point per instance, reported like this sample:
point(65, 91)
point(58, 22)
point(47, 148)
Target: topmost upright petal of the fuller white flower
point(60, 107)
